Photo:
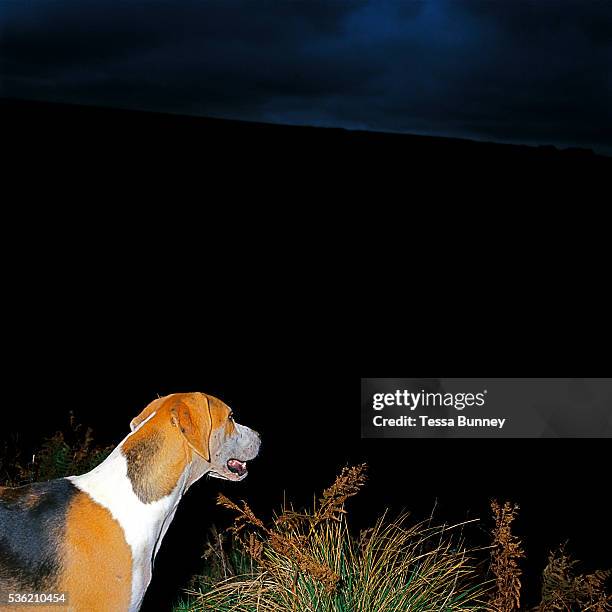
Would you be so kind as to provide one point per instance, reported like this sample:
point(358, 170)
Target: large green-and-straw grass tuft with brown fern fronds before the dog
point(309, 561)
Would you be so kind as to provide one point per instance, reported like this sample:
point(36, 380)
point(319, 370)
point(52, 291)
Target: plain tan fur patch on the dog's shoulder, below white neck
point(96, 559)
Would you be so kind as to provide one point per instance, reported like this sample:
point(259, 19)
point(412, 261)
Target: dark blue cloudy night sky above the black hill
point(535, 72)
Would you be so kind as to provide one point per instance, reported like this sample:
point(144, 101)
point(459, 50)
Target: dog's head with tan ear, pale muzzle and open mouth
point(219, 445)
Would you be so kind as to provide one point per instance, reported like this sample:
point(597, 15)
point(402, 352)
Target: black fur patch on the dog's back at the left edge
point(32, 523)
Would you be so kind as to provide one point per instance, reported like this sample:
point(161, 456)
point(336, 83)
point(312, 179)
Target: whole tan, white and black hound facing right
point(93, 538)
